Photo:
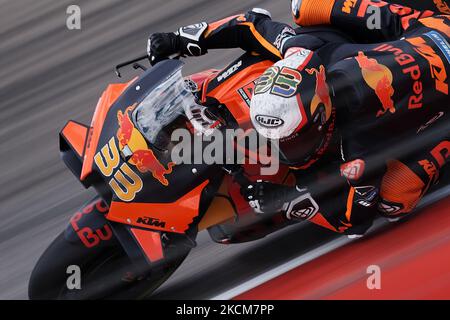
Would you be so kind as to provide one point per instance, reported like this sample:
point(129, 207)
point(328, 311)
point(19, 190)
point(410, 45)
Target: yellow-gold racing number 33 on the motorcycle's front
point(124, 182)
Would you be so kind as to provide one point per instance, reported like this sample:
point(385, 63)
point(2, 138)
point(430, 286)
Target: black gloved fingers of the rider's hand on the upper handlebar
point(162, 45)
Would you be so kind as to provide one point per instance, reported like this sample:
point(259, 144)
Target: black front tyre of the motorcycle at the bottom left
point(104, 274)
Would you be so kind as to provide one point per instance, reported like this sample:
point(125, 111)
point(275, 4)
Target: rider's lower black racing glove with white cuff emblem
point(266, 197)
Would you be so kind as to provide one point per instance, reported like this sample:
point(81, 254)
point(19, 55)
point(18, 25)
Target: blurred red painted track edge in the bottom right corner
point(411, 267)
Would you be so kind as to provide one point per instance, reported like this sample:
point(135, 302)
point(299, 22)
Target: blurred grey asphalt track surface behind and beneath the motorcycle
point(49, 75)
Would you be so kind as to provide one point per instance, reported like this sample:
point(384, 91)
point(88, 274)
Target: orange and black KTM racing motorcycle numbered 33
point(142, 224)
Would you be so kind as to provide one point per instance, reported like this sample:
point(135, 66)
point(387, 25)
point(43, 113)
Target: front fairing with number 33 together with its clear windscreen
point(148, 190)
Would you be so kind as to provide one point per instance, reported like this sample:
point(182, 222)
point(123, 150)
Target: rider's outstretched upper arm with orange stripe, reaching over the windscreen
point(254, 31)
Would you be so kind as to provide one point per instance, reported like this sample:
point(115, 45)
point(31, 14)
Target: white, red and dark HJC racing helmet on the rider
point(291, 105)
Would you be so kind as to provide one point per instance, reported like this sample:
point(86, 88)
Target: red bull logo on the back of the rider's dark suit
point(379, 78)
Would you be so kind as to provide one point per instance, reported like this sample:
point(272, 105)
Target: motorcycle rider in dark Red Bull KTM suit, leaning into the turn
point(370, 96)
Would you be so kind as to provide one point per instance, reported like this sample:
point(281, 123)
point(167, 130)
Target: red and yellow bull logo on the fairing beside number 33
point(142, 157)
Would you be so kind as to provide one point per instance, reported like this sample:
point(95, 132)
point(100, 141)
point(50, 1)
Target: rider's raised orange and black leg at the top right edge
point(363, 19)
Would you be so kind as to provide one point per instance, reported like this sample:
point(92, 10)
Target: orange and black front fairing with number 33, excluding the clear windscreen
point(143, 186)
